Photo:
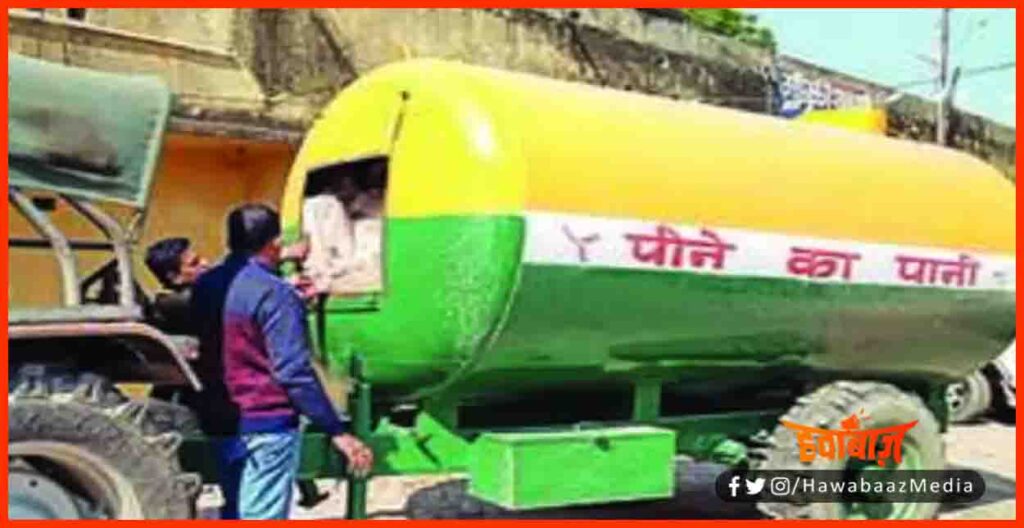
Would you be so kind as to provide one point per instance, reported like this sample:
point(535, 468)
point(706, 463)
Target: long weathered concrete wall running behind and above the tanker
point(284, 65)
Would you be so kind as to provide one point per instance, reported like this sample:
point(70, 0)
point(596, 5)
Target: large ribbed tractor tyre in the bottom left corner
point(78, 449)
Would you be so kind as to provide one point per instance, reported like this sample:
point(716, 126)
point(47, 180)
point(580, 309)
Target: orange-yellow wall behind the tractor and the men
point(199, 182)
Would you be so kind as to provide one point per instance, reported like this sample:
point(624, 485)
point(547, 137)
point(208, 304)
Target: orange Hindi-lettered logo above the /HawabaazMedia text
point(881, 445)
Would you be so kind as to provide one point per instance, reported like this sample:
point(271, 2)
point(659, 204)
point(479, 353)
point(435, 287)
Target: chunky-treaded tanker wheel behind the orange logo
point(878, 406)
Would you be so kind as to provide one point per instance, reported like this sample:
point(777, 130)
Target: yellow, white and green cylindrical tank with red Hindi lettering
point(546, 235)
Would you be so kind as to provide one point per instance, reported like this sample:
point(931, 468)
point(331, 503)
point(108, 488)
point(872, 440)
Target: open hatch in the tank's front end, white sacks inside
point(343, 218)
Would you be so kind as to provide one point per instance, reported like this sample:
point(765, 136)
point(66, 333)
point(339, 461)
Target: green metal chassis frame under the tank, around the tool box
point(436, 444)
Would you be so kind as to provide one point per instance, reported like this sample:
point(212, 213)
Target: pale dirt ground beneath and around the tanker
point(987, 448)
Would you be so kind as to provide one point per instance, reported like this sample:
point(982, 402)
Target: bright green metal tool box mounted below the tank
point(532, 470)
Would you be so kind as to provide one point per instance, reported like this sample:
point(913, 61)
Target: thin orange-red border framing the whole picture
point(515, 4)
